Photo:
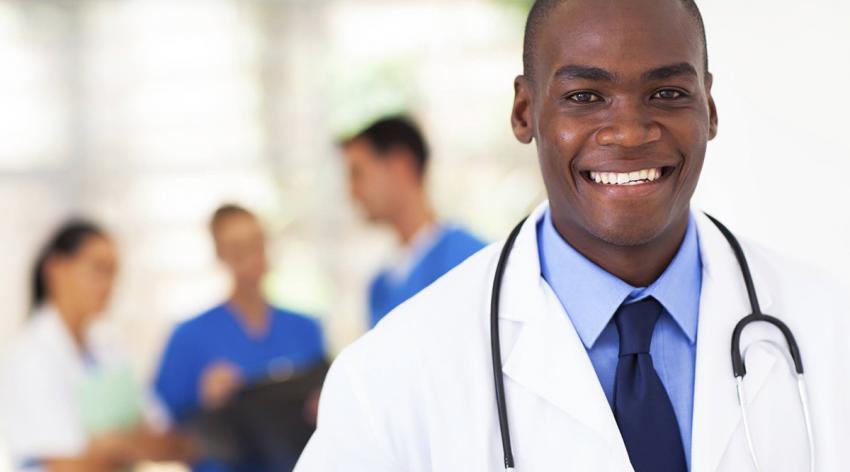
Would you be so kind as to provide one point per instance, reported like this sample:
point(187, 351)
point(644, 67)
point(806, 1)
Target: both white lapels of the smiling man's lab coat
point(549, 358)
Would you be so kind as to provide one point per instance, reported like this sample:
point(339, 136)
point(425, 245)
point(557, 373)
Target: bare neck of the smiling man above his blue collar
point(639, 265)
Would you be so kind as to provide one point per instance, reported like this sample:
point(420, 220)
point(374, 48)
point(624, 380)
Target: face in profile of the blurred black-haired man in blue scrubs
point(372, 179)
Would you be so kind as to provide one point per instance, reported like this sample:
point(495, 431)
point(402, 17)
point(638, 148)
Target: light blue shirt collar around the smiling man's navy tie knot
point(591, 295)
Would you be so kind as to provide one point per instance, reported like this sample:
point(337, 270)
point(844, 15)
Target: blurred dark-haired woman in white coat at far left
point(68, 400)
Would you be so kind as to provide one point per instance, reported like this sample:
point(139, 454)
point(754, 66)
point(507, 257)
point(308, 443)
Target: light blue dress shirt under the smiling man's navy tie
point(590, 296)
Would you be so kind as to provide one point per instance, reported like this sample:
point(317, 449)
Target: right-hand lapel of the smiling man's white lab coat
point(723, 303)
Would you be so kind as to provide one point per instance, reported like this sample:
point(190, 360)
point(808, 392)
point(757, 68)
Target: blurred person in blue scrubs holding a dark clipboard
point(212, 355)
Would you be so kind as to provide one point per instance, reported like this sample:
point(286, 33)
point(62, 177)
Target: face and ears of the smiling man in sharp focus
point(620, 107)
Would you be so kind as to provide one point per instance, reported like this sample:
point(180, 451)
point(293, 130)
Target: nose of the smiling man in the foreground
point(629, 125)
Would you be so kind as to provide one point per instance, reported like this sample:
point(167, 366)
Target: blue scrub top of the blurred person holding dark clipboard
point(293, 340)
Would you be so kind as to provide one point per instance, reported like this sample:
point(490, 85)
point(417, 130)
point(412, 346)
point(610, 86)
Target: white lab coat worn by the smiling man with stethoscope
point(416, 393)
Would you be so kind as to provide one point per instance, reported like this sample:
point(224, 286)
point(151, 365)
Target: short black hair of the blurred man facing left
point(395, 131)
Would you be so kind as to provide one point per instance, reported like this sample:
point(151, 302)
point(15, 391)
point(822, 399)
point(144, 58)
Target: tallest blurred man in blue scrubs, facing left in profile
point(387, 165)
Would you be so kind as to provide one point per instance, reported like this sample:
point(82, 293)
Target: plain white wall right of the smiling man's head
point(778, 170)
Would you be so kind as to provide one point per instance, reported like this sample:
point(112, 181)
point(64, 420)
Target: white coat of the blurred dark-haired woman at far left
point(41, 374)
